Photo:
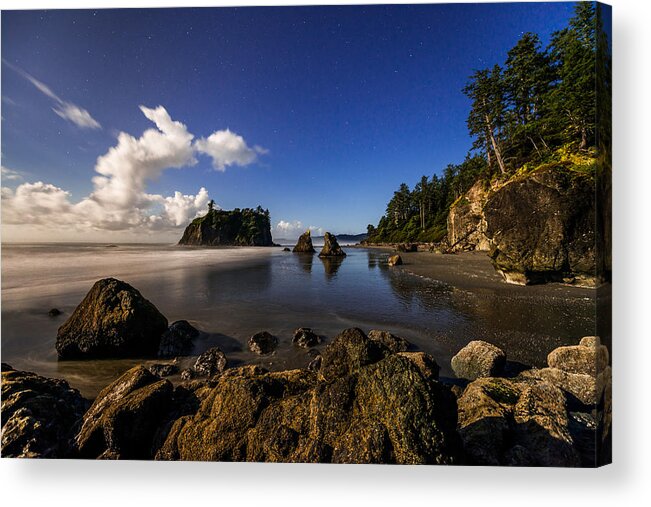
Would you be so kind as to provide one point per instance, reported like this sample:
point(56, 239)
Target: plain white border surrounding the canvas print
point(31, 482)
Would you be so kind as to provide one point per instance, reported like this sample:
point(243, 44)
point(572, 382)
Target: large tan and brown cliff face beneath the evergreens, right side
point(537, 228)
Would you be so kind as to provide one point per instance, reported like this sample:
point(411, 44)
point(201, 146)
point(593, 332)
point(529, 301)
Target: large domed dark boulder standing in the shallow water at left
point(113, 320)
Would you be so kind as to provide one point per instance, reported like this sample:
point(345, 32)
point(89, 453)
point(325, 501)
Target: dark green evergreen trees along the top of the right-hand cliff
point(541, 102)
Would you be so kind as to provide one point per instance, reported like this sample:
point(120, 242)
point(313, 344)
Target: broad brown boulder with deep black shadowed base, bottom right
point(510, 422)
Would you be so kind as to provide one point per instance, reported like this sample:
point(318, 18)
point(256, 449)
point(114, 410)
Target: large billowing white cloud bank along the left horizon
point(119, 201)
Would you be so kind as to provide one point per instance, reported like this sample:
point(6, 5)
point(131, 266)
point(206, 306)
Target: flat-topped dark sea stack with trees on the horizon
point(245, 227)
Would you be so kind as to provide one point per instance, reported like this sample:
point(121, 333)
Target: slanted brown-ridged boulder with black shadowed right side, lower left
point(123, 420)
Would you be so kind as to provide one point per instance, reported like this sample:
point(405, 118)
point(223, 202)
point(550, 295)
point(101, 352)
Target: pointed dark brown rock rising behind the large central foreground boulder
point(348, 352)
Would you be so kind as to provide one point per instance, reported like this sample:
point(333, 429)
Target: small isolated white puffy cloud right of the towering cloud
point(227, 148)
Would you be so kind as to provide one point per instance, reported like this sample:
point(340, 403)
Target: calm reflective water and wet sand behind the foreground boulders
point(229, 294)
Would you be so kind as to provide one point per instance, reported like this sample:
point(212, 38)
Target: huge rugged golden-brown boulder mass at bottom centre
point(379, 409)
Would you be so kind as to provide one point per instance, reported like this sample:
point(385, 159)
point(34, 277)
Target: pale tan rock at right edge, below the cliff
point(588, 358)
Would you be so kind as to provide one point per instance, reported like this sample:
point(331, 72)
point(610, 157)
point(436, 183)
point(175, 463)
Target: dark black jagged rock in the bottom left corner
point(39, 415)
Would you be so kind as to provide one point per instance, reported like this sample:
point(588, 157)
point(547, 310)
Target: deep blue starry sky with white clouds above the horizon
point(121, 124)
